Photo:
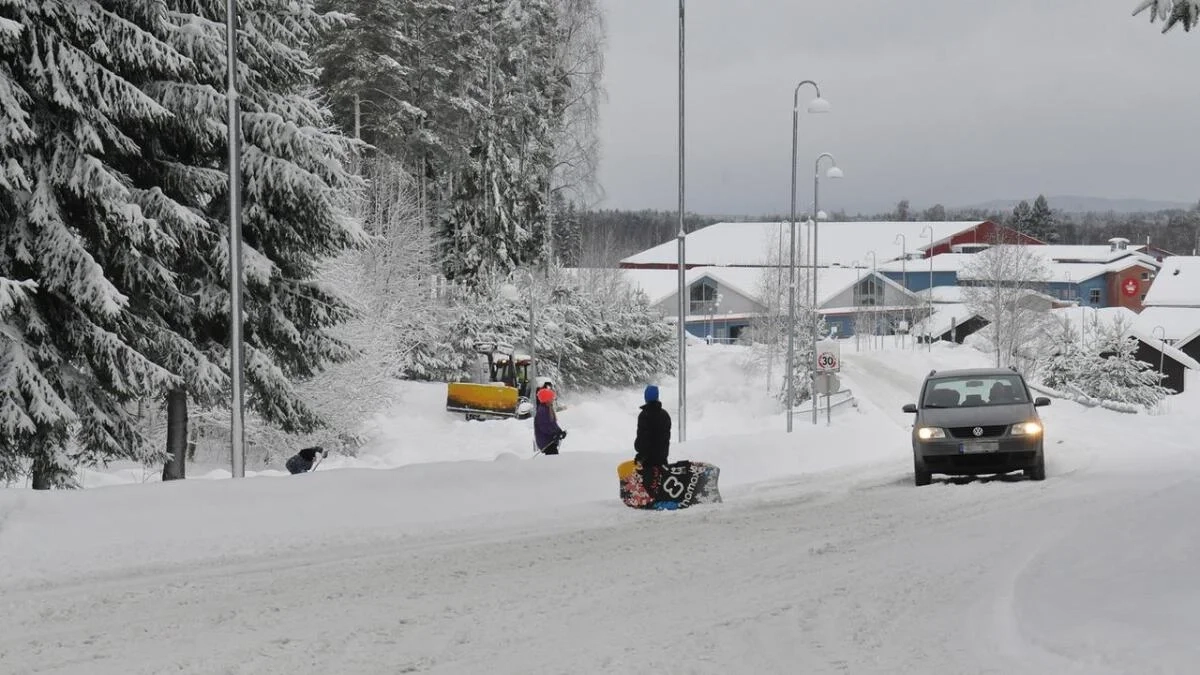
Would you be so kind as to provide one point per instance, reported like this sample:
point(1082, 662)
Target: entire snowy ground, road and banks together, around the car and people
point(823, 559)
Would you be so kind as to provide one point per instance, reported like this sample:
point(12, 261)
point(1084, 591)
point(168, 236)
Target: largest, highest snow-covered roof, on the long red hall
point(757, 243)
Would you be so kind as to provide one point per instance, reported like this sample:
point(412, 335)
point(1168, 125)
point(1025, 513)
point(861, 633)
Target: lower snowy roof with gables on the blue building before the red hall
point(662, 284)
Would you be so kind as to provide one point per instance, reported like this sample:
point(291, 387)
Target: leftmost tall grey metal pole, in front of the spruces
point(237, 422)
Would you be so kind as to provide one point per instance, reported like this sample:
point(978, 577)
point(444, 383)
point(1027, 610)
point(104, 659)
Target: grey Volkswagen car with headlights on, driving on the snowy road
point(977, 422)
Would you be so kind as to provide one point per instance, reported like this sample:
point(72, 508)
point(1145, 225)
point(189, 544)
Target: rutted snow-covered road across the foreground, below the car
point(1094, 574)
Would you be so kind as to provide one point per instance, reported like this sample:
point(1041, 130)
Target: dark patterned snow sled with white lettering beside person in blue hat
point(669, 488)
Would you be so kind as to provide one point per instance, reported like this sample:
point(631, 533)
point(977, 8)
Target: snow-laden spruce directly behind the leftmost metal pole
point(295, 202)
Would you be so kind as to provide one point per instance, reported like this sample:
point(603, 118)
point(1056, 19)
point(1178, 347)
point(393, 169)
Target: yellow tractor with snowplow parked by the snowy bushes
point(502, 387)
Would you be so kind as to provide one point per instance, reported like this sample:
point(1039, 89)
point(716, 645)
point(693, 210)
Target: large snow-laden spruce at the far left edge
point(88, 339)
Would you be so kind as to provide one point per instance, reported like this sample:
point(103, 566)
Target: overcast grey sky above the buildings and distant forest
point(952, 101)
